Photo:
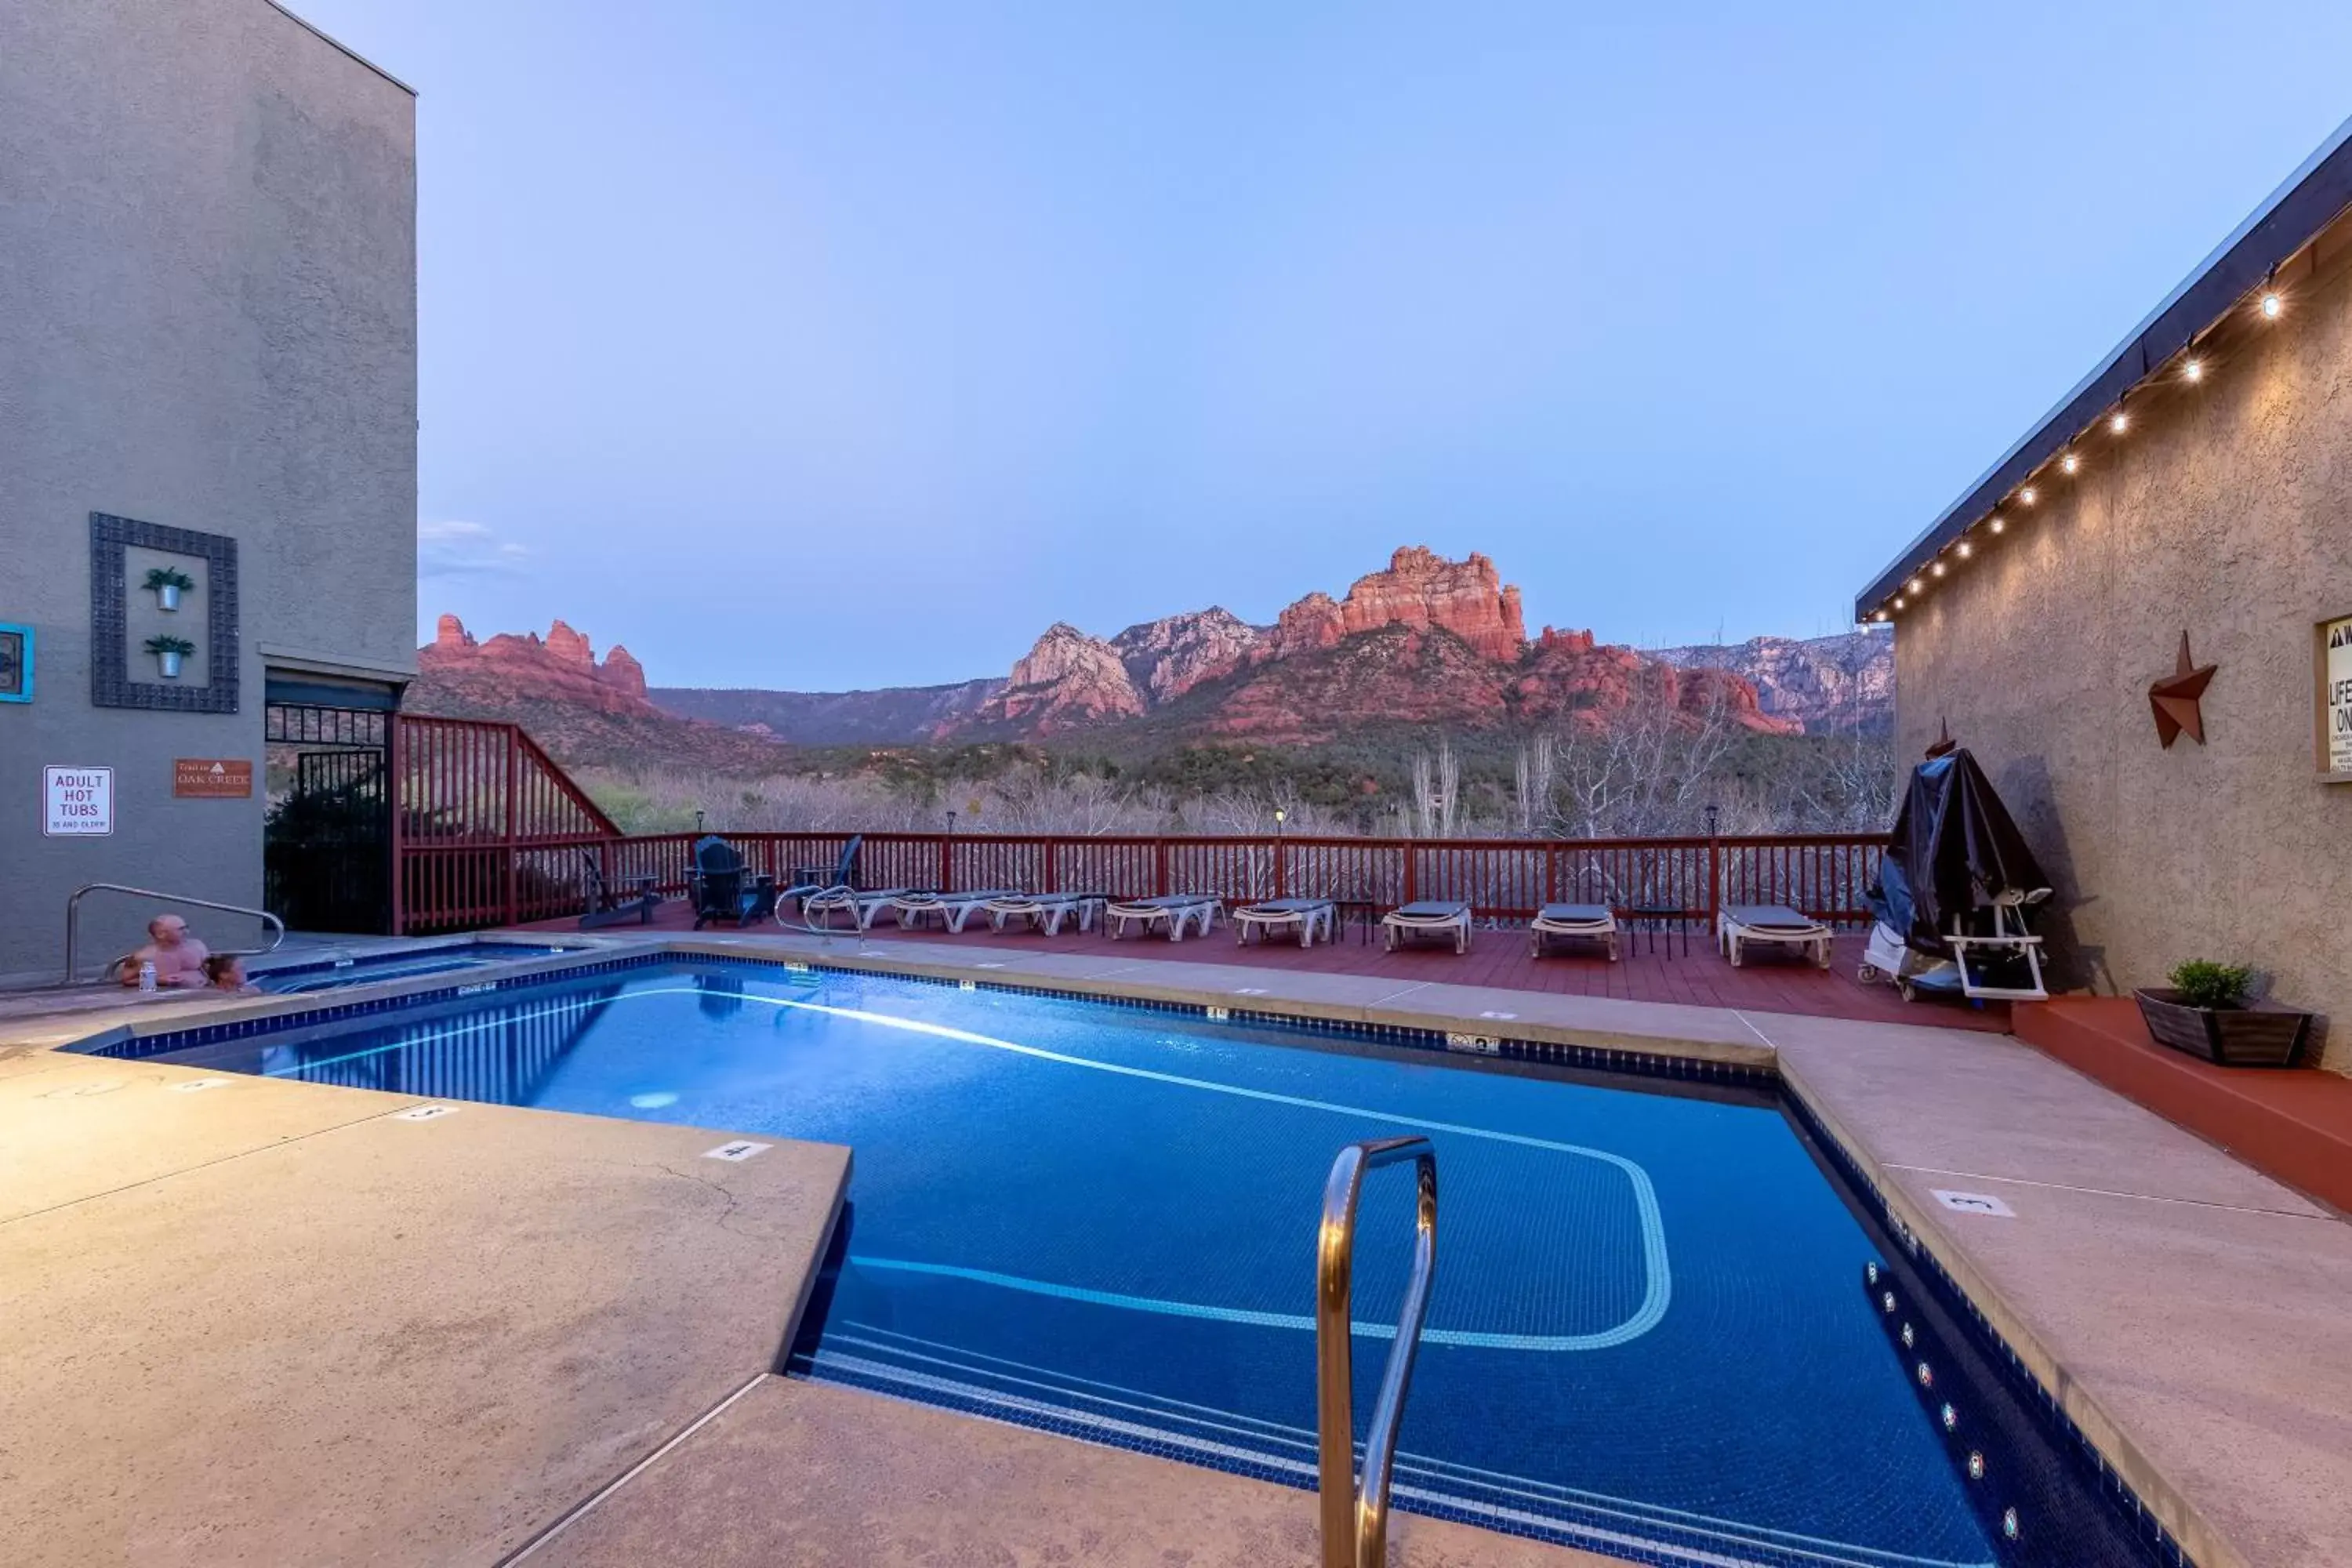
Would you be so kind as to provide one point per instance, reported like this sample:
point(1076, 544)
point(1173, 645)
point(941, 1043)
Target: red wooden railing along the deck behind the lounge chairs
point(493, 833)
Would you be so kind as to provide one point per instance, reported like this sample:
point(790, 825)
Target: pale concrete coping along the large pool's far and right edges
point(2172, 1520)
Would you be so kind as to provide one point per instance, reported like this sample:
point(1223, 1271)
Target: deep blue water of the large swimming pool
point(1650, 1334)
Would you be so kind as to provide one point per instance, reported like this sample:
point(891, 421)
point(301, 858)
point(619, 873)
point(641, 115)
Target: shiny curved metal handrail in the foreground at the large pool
point(1356, 1513)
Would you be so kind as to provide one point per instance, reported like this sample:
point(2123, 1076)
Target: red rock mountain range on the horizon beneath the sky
point(1424, 643)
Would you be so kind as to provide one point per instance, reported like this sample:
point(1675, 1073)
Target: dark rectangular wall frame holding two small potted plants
point(189, 664)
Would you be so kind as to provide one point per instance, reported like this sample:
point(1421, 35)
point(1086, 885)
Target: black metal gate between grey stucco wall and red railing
point(328, 838)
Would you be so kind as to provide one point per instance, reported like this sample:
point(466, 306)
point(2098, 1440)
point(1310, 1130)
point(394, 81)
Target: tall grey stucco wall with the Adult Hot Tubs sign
point(208, 321)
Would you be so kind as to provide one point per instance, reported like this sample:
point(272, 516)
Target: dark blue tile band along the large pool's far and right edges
point(1455, 1047)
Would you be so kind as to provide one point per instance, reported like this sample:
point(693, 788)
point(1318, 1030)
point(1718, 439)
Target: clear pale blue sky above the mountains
point(853, 344)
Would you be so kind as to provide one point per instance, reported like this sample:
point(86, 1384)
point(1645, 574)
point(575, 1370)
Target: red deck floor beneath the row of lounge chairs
point(1652, 970)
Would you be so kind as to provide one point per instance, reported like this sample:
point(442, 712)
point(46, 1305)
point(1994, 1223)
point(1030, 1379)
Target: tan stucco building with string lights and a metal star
point(2198, 483)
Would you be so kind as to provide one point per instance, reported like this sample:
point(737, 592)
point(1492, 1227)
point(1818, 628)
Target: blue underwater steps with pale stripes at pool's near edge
point(888, 1362)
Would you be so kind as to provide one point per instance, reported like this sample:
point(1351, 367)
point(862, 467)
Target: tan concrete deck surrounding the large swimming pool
point(218, 1327)
